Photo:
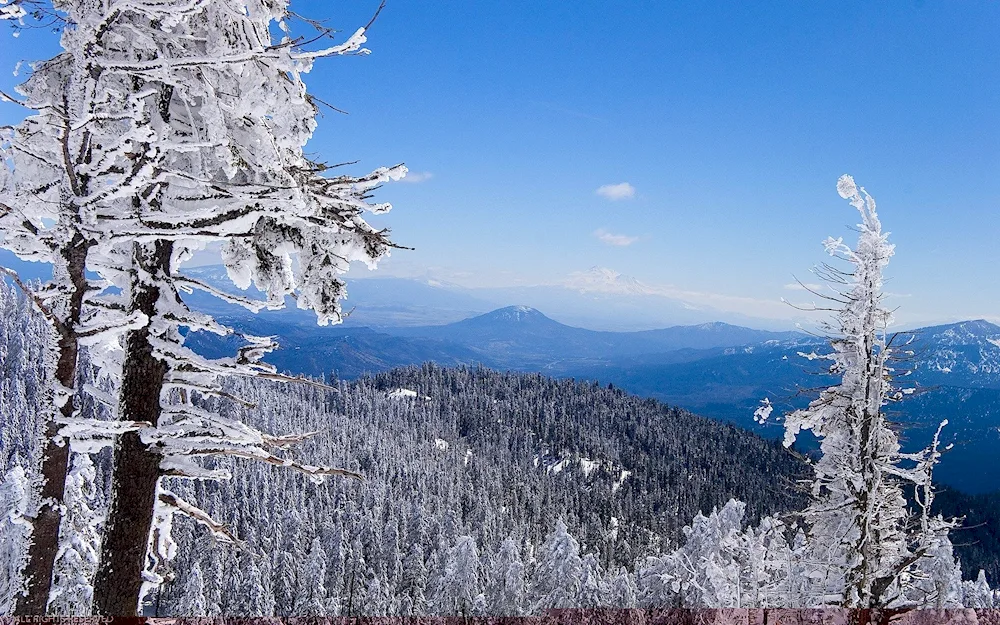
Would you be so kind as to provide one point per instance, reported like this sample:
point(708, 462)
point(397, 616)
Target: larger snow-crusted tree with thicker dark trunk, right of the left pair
point(218, 70)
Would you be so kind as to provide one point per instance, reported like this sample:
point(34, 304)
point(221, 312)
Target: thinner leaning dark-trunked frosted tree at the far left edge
point(35, 177)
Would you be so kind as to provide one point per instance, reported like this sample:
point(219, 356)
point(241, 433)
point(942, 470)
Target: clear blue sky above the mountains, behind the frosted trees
point(729, 121)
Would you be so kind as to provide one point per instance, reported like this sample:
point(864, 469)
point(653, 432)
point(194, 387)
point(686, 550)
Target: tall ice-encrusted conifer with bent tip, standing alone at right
point(859, 525)
